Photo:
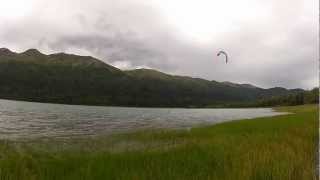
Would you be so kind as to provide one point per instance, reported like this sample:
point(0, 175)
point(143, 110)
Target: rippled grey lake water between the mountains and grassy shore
point(33, 120)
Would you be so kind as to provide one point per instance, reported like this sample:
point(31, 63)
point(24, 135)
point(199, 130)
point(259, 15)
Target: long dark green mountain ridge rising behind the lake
point(72, 79)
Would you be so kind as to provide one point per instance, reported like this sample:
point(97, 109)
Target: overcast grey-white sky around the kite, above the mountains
point(270, 43)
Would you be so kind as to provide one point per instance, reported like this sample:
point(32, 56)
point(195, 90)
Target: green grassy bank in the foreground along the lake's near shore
point(281, 147)
